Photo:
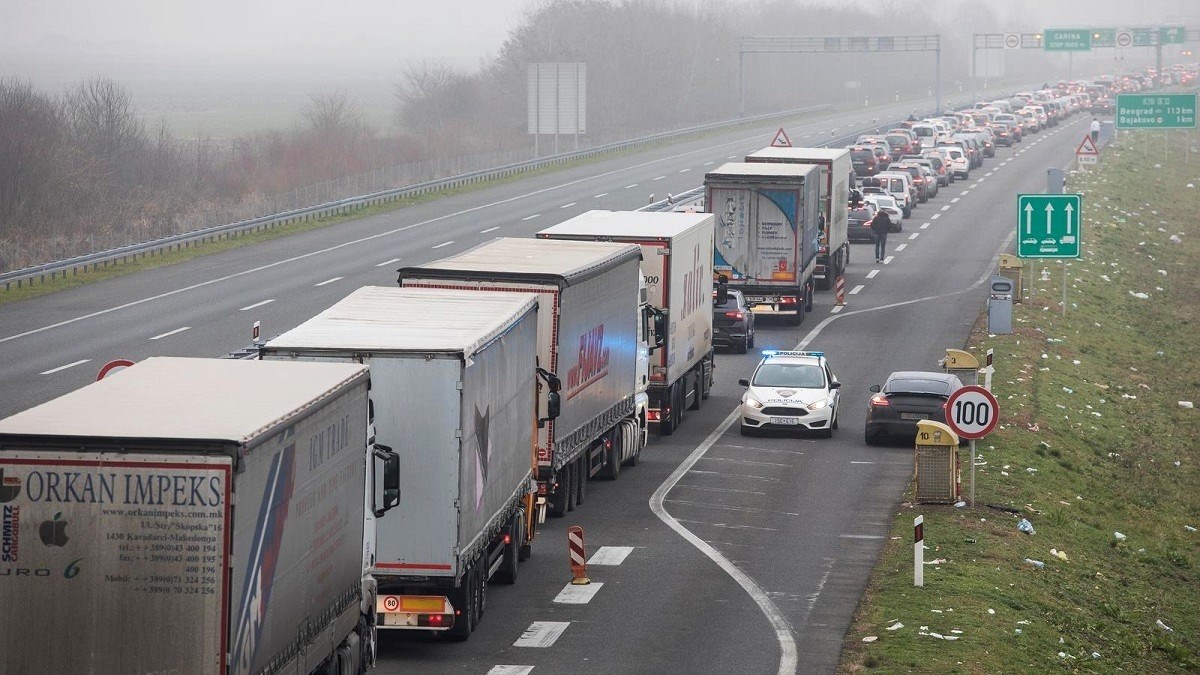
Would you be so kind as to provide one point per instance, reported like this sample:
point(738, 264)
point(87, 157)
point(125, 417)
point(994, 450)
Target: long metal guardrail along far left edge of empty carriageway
point(231, 231)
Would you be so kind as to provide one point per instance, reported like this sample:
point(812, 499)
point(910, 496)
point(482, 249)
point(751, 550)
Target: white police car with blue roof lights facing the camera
point(791, 391)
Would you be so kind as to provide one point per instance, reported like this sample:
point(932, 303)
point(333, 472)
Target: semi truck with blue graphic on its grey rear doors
point(766, 243)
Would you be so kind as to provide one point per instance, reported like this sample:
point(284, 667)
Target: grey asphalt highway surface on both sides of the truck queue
point(745, 555)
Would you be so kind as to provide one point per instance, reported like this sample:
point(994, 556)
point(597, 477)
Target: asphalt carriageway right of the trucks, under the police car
point(803, 518)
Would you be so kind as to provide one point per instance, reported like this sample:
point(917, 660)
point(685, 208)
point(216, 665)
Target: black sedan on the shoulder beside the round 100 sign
point(907, 398)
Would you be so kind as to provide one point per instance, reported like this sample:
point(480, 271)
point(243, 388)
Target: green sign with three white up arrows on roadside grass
point(1049, 226)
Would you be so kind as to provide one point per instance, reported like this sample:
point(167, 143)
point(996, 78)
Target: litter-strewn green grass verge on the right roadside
point(1090, 402)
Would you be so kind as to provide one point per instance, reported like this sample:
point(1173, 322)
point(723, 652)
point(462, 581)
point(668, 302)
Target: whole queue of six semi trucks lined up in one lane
point(377, 467)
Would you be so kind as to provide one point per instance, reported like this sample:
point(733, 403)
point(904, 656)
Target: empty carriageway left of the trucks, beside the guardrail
point(206, 307)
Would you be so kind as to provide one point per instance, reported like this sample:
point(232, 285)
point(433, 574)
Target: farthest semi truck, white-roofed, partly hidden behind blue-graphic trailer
point(837, 174)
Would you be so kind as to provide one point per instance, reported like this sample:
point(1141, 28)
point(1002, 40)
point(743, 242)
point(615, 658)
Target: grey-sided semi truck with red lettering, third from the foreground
point(591, 333)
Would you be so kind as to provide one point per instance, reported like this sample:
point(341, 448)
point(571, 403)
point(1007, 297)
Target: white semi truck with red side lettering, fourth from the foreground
point(677, 267)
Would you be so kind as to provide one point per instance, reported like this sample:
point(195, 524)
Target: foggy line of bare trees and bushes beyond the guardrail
point(83, 171)
